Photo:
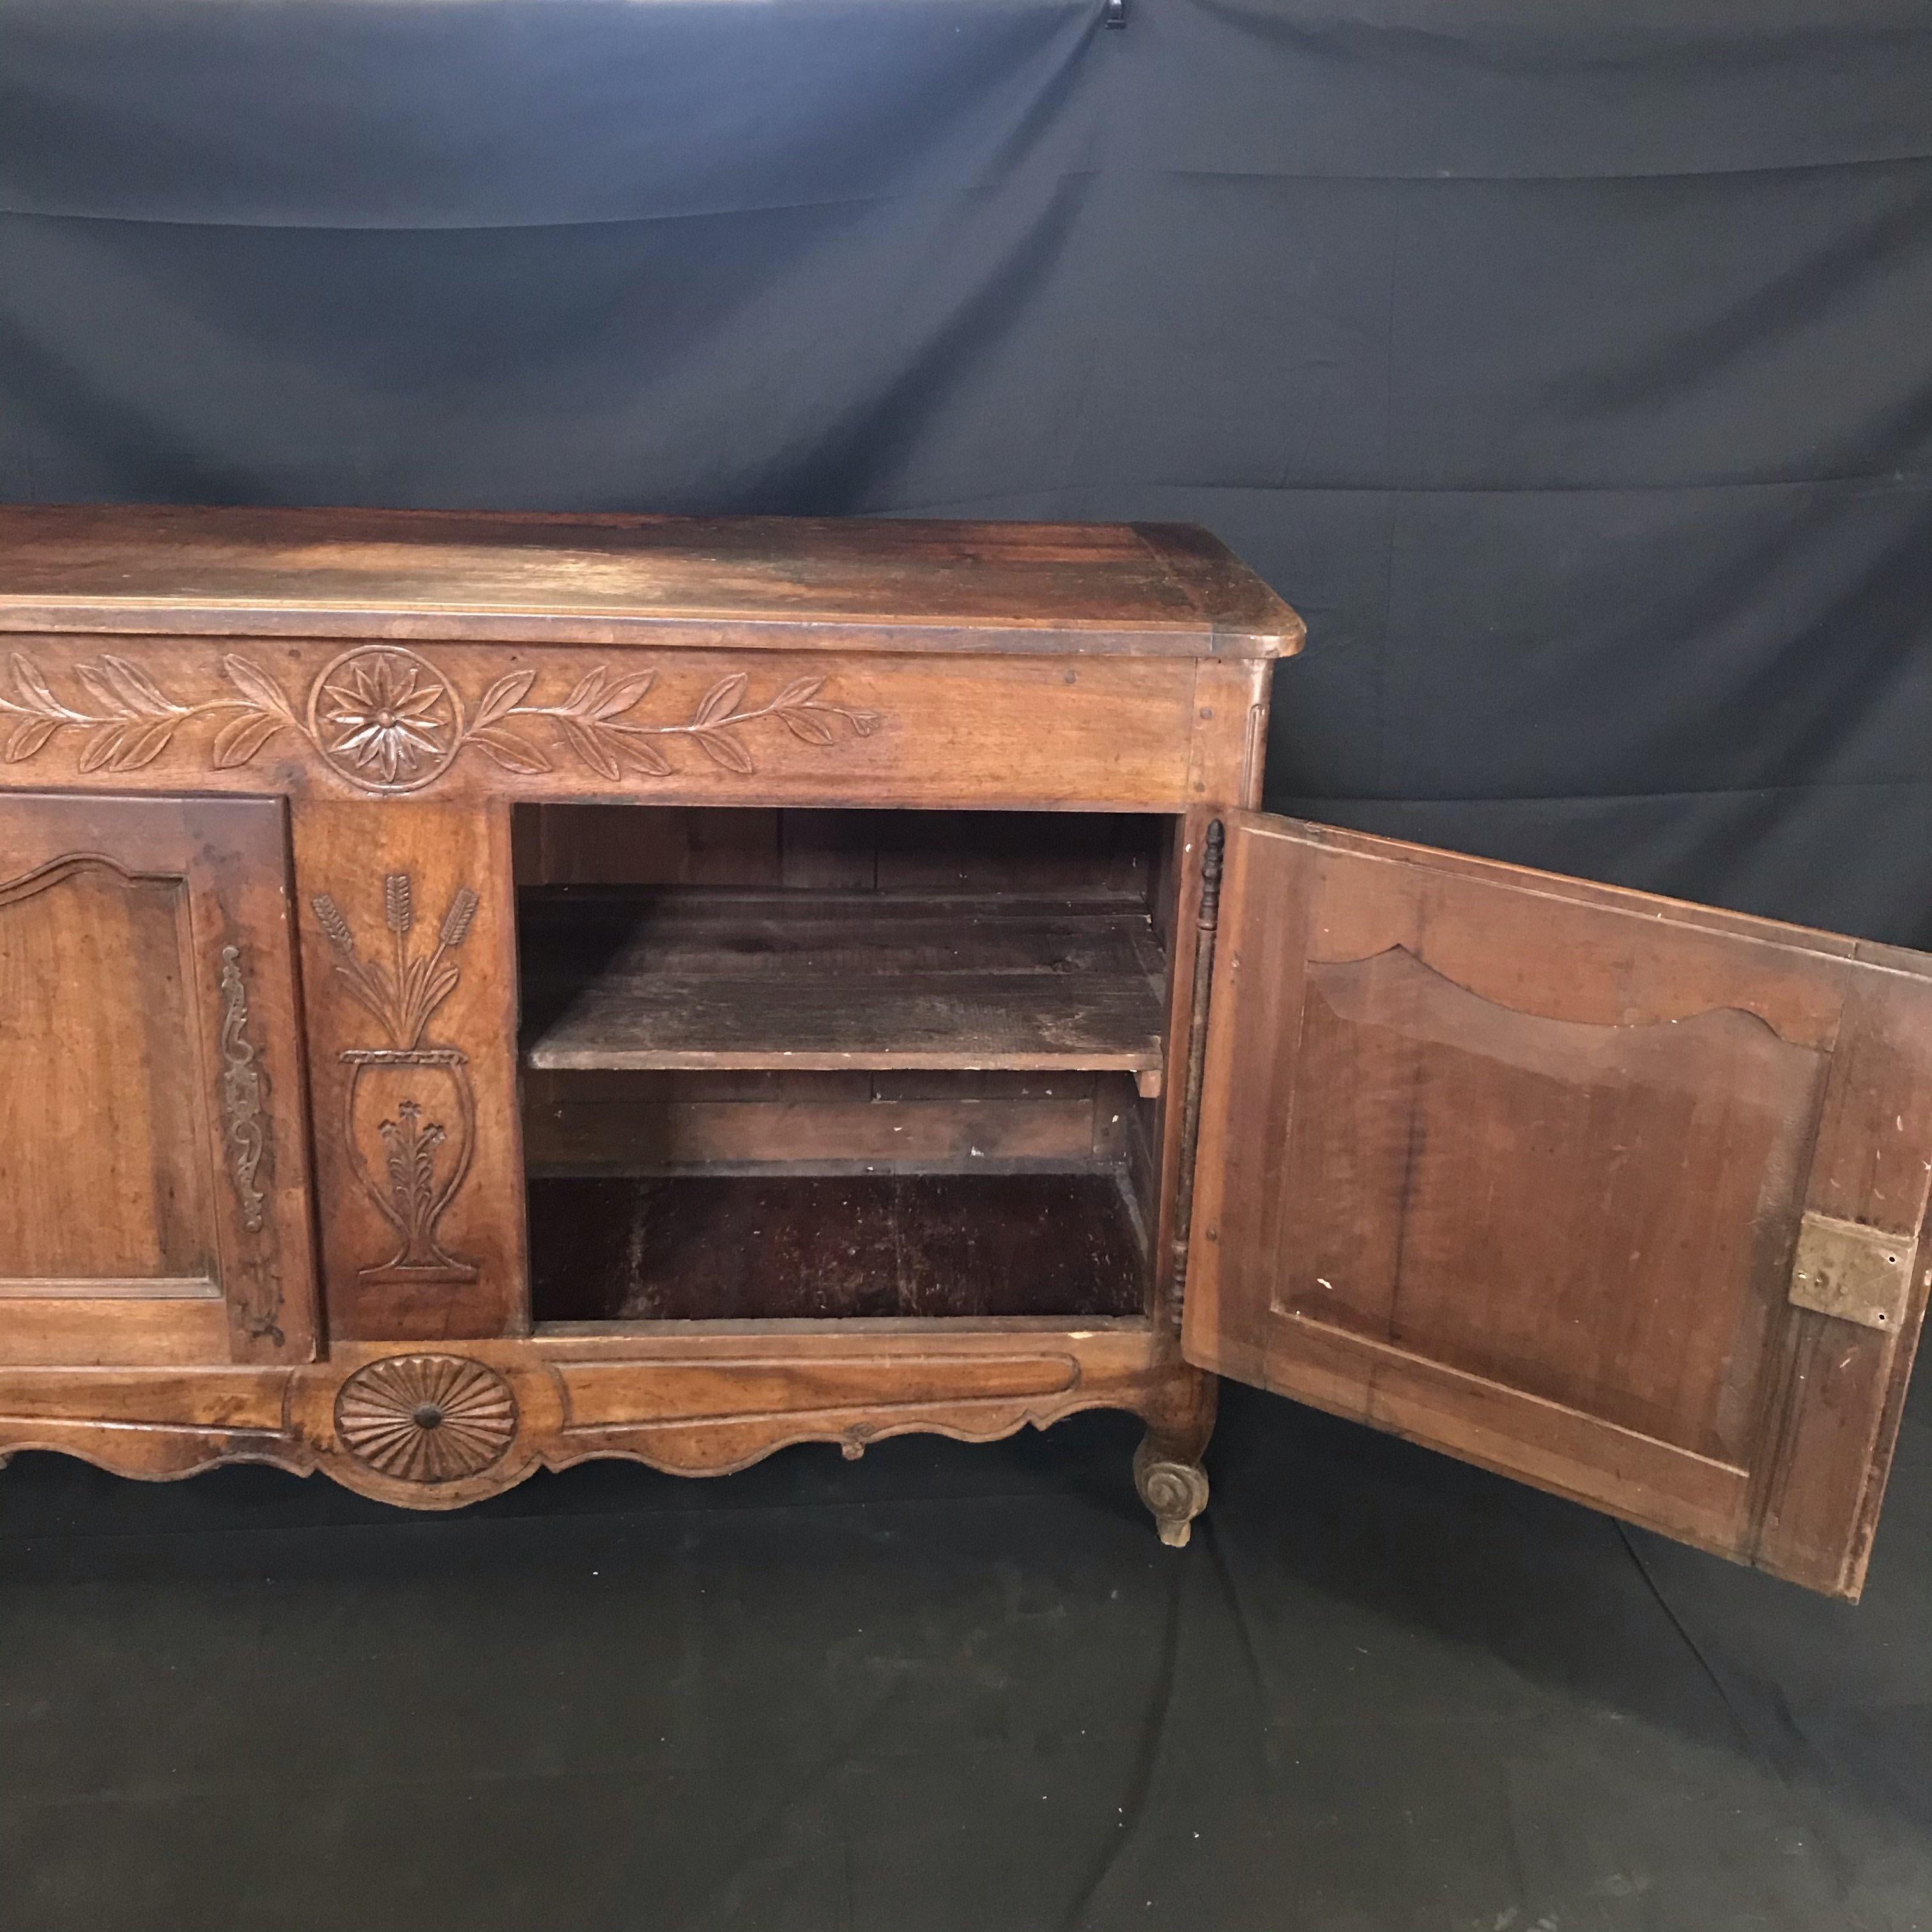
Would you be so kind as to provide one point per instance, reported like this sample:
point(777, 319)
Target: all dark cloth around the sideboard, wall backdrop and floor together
point(1570, 366)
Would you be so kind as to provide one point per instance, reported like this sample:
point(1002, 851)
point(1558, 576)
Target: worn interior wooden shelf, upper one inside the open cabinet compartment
point(681, 979)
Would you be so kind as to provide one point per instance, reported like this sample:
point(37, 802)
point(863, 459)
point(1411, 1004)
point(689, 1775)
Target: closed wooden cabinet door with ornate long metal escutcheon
point(154, 1147)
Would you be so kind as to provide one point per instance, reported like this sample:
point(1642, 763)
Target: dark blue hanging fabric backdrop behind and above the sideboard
point(1570, 370)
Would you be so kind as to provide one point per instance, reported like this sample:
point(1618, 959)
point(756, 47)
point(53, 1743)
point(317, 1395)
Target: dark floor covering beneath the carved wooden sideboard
point(948, 1688)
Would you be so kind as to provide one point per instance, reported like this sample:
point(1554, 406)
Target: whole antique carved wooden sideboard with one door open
point(484, 992)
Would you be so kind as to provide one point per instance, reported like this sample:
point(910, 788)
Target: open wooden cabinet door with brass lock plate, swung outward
point(1608, 1193)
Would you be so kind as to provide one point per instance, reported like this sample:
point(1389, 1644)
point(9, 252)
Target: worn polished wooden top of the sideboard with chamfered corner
point(1166, 590)
